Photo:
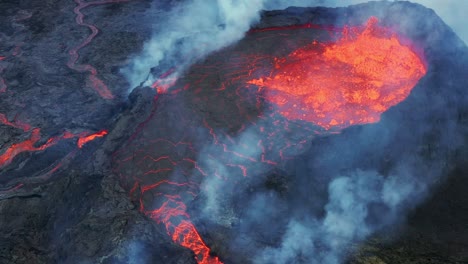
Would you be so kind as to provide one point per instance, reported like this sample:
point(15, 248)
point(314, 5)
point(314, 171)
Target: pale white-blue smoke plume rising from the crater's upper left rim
point(190, 32)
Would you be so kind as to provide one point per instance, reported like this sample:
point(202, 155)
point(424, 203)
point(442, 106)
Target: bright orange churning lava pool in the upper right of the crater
point(350, 82)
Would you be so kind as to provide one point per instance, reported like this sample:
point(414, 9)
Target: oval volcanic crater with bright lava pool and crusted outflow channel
point(242, 113)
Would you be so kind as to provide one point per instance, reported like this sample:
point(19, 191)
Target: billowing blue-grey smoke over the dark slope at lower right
point(348, 218)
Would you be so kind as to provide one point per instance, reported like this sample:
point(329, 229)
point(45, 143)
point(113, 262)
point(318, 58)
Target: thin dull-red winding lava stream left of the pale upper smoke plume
point(97, 83)
